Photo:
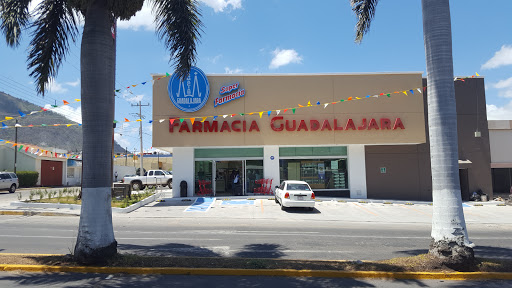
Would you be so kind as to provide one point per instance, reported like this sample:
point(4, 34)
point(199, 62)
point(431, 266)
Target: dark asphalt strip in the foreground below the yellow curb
point(98, 280)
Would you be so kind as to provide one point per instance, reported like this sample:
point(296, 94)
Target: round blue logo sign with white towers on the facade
point(192, 94)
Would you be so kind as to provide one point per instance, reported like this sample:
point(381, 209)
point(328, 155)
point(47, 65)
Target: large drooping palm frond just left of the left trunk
point(54, 25)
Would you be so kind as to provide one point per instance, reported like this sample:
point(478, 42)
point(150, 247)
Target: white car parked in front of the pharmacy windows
point(295, 194)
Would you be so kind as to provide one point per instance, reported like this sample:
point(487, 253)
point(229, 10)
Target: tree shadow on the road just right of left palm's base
point(169, 249)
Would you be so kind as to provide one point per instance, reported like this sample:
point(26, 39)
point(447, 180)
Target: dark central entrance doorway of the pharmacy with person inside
point(229, 178)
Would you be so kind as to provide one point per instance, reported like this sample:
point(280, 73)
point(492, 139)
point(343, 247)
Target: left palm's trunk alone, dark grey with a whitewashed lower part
point(95, 239)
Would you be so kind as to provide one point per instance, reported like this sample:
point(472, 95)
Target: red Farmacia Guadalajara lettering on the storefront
point(281, 124)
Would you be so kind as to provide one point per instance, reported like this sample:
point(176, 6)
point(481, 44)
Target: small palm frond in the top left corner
point(14, 18)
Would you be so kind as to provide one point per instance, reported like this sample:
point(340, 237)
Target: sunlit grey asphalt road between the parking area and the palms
point(260, 238)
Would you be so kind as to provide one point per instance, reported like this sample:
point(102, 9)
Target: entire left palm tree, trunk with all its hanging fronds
point(54, 23)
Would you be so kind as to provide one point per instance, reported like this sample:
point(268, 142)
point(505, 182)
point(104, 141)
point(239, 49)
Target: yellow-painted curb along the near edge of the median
point(263, 272)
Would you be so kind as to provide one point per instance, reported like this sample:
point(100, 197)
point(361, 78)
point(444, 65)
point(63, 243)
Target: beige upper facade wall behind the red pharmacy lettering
point(271, 92)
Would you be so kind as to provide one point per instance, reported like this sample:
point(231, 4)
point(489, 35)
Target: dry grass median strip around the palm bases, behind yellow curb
point(420, 263)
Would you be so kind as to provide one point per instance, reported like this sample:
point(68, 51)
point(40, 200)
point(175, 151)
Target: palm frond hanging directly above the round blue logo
point(179, 26)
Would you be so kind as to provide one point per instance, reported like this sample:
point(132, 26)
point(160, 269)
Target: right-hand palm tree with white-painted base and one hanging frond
point(450, 240)
